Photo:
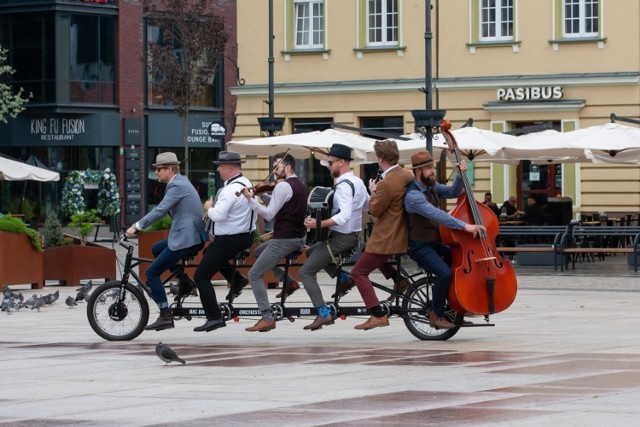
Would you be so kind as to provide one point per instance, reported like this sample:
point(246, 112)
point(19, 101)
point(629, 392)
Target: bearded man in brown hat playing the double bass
point(424, 216)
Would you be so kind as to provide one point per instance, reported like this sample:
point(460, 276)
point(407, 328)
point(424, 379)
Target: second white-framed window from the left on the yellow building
point(382, 22)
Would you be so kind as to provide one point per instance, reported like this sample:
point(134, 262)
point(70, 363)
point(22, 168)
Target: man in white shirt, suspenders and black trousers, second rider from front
point(234, 223)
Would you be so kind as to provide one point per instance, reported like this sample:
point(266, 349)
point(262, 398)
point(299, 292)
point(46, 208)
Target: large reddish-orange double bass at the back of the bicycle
point(483, 282)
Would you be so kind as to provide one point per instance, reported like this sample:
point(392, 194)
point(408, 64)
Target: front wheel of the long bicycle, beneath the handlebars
point(117, 314)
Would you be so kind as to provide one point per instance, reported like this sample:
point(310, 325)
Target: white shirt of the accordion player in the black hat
point(348, 205)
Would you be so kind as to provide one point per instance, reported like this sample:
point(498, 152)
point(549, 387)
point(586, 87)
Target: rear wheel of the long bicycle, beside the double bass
point(416, 305)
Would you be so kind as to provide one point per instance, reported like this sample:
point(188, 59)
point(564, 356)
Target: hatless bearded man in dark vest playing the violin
point(288, 208)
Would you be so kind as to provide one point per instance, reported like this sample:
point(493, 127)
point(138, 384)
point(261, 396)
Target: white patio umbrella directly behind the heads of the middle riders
point(303, 145)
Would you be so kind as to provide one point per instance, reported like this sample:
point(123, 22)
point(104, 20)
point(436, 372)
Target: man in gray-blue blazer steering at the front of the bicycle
point(186, 236)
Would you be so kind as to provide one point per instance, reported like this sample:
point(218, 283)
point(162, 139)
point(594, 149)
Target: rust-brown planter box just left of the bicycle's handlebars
point(72, 263)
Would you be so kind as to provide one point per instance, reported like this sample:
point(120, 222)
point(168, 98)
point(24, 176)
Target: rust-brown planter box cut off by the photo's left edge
point(20, 262)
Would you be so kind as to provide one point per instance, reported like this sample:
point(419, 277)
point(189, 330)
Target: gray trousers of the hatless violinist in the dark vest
point(273, 252)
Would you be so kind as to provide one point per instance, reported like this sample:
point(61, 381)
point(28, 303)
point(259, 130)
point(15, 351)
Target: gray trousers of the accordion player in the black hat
point(318, 257)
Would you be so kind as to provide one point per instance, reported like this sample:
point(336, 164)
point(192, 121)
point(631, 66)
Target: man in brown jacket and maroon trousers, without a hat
point(389, 234)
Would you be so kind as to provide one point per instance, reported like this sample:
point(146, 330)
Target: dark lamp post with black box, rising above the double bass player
point(427, 120)
